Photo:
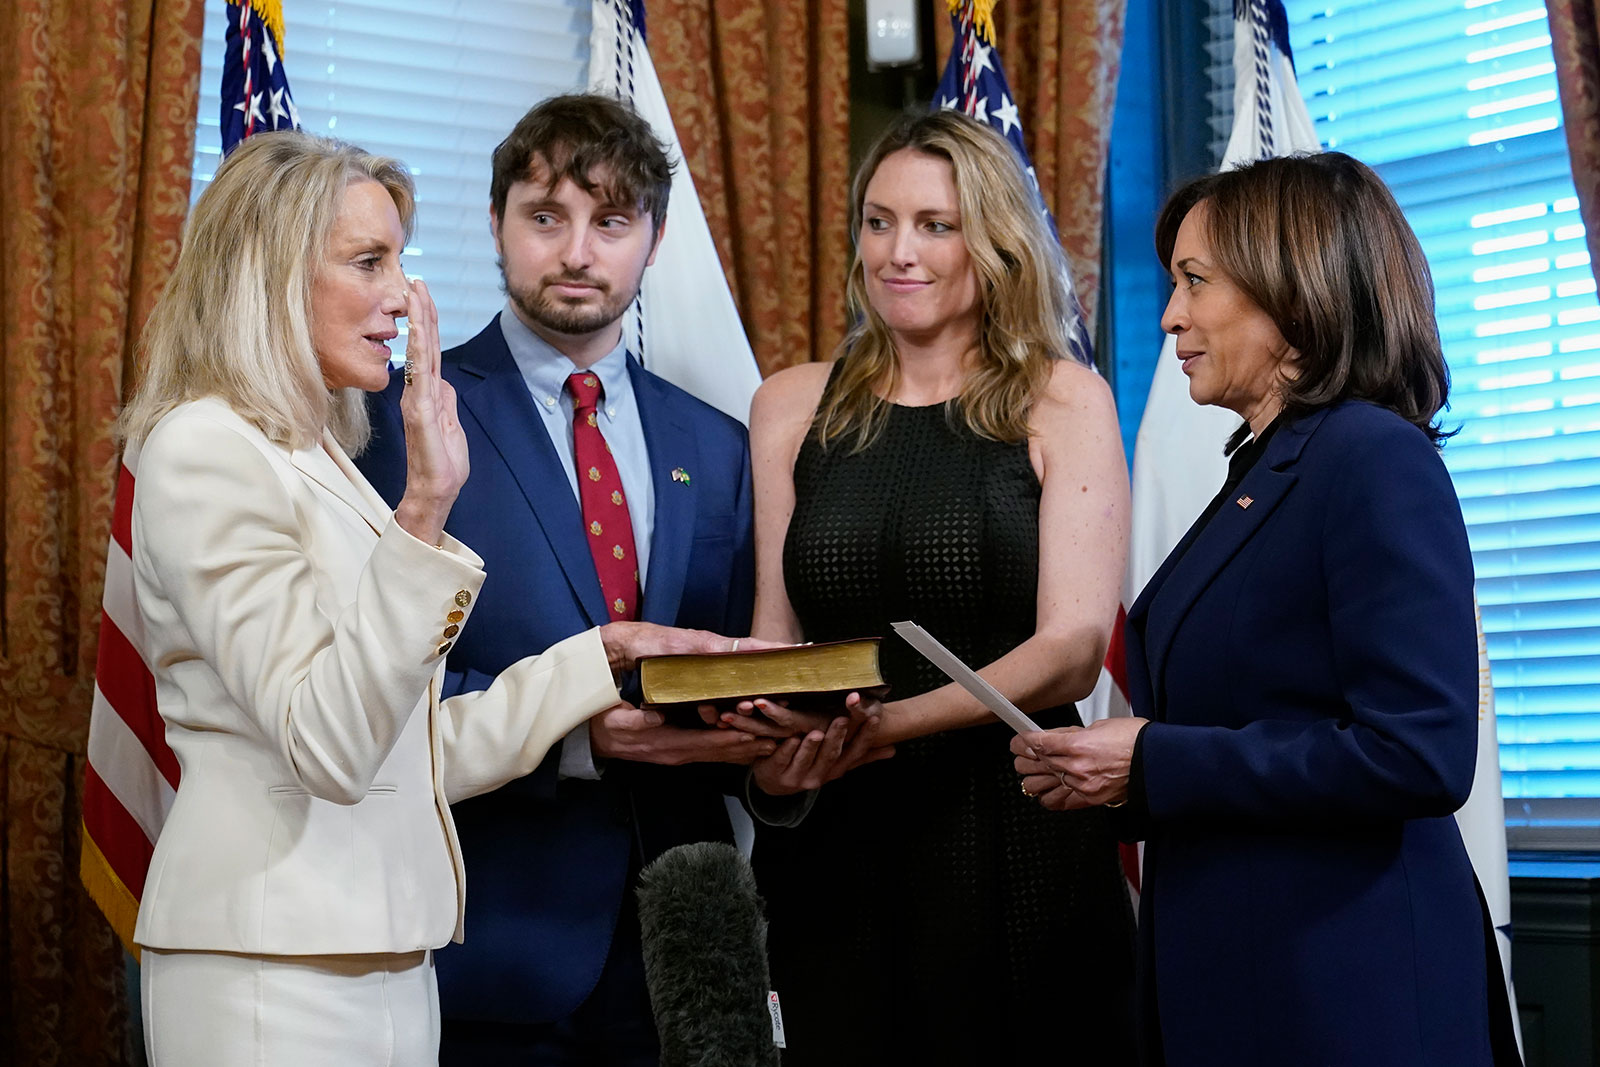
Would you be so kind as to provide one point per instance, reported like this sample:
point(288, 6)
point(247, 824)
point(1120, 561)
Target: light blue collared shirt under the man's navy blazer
point(545, 370)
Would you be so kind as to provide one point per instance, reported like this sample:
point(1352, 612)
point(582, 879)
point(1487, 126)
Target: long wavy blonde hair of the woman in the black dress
point(1030, 311)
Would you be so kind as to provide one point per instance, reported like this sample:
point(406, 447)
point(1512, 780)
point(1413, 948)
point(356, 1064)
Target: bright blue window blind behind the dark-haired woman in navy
point(1455, 105)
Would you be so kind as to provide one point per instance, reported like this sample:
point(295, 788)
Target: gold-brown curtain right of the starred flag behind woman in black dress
point(1062, 60)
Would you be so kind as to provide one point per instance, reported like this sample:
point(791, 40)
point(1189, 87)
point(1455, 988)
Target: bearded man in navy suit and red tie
point(599, 492)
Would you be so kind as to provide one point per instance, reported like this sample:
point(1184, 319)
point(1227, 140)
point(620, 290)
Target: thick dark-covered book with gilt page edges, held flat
point(796, 671)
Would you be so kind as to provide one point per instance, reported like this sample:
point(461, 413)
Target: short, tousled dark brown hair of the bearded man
point(596, 142)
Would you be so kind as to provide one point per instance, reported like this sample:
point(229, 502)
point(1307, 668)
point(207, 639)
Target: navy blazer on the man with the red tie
point(548, 861)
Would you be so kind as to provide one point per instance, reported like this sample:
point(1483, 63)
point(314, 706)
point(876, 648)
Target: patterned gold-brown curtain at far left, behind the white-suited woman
point(97, 135)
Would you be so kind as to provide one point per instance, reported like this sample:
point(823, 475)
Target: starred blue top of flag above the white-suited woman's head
point(255, 87)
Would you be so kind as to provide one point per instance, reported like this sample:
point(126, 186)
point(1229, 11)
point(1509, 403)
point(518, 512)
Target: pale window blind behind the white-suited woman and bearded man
point(436, 84)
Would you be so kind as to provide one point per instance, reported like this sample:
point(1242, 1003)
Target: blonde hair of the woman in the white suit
point(236, 318)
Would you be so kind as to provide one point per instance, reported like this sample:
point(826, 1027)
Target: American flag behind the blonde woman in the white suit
point(132, 775)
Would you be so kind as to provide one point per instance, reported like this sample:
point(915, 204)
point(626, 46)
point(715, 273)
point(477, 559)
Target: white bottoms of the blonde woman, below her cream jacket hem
point(220, 1009)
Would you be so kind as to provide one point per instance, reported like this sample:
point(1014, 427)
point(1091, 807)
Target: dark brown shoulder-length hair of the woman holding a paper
point(1321, 246)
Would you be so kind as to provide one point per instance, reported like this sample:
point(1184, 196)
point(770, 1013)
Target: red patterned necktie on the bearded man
point(610, 530)
